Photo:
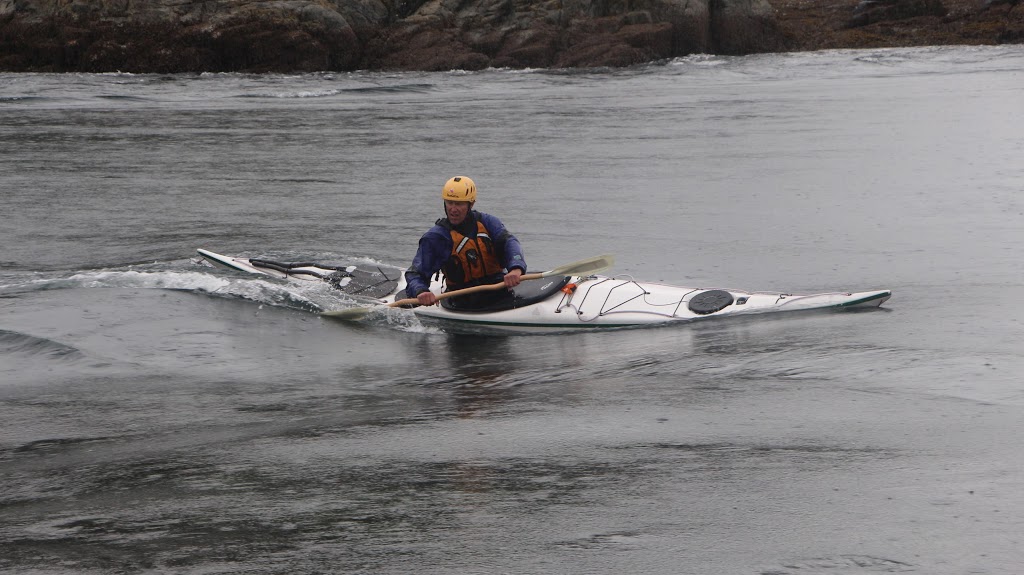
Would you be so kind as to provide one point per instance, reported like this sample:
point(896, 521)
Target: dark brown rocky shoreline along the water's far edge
point(288, 36)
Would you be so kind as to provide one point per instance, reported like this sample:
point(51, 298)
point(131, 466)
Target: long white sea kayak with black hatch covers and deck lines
point(558, 303)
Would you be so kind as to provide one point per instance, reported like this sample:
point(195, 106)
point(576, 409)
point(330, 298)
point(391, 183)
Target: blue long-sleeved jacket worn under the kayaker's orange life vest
point(436, 249)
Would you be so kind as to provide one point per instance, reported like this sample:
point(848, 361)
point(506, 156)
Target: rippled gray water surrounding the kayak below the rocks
point(158, 416)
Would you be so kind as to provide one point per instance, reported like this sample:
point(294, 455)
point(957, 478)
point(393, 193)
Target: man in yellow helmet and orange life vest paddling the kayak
point(472, 248)
